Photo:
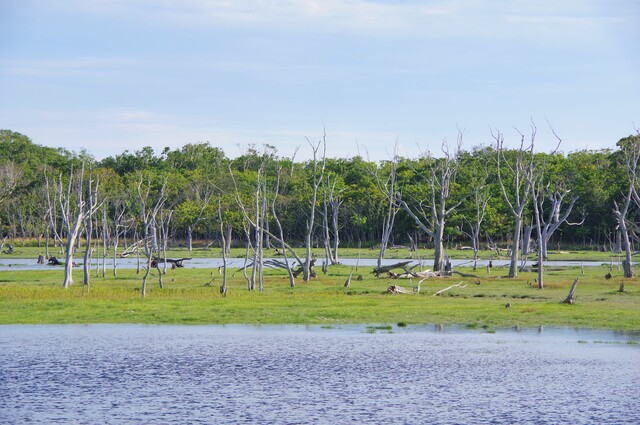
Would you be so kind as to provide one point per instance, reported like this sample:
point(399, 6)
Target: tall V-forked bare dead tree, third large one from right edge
point(521, 172)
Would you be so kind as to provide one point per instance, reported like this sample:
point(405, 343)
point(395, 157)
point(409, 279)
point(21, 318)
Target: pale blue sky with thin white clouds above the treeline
point(115, 75)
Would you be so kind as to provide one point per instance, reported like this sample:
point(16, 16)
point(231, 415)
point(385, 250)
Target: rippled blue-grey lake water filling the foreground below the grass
point(293, 375)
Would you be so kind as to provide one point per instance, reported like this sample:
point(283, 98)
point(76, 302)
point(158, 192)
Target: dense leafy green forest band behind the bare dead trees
point(200, 186)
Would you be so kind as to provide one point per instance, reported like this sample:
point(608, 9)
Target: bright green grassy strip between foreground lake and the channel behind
point(38, 297)
